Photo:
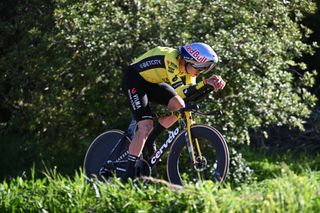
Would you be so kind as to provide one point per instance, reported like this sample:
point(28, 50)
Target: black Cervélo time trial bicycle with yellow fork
point(197, 152)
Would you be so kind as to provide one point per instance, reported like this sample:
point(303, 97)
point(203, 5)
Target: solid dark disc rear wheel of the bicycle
point(100, 150)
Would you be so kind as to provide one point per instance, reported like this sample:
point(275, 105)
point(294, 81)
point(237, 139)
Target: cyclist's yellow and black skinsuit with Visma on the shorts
point(155, 76)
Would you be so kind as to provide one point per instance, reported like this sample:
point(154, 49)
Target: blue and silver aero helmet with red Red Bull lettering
point(200, 55)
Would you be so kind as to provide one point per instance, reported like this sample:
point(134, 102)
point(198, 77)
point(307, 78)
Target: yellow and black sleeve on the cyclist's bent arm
point(184, 89)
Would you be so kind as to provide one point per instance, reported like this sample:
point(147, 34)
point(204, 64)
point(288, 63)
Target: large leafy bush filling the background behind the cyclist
point(60, 74)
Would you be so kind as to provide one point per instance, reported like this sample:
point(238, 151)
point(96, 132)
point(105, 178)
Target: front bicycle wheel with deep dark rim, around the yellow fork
point(213, 147)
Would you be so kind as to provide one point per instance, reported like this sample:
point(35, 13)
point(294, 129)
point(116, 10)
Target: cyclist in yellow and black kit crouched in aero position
point(164, 76)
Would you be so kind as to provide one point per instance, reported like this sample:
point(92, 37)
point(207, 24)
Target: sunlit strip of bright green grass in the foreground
point(287, 192)
